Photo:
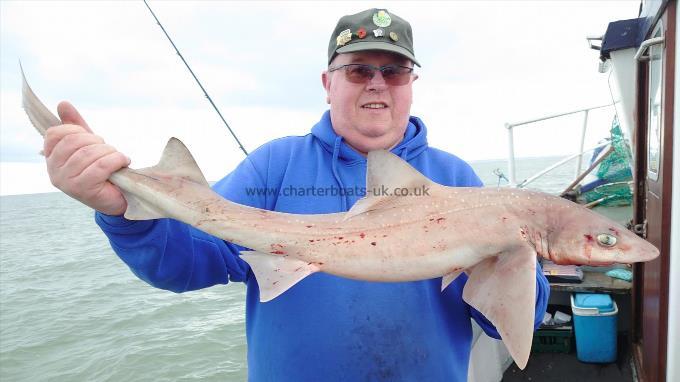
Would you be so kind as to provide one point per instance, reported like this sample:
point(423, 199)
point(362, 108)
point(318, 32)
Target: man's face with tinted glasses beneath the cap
point(372, 115)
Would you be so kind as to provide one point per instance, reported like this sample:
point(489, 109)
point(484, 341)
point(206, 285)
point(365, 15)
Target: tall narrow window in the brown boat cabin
point(656, 54)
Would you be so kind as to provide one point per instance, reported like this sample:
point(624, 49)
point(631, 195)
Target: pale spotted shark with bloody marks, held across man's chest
point(494, 235)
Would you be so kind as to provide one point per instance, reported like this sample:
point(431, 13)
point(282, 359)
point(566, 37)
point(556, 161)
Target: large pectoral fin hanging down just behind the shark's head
point(503, 289)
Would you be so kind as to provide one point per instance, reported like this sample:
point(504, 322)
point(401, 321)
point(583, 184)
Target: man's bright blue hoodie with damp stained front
point(325, 328)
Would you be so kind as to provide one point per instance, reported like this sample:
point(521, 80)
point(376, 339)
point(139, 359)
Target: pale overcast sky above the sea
point(484, 64)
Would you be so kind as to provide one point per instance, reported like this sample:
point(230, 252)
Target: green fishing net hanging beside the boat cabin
point(614, 172)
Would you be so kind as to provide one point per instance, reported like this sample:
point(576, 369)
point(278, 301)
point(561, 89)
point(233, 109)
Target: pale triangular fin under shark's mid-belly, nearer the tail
point(275, 273)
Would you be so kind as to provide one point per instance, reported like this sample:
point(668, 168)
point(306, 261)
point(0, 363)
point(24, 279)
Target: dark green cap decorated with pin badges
point(372, 29)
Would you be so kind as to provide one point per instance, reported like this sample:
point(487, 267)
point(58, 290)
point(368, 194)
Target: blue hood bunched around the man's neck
point(414, 142)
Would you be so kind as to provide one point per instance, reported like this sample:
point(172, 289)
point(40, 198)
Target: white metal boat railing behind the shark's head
point(579, 153)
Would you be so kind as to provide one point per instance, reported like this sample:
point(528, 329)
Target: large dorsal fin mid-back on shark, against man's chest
point(385, 173)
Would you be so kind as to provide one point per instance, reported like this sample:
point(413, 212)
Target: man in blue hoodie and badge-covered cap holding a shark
point(325, 328)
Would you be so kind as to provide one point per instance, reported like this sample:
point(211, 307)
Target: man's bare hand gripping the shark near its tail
point(80, 163)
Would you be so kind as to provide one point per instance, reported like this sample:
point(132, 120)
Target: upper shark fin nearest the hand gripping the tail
point(176, 160)
